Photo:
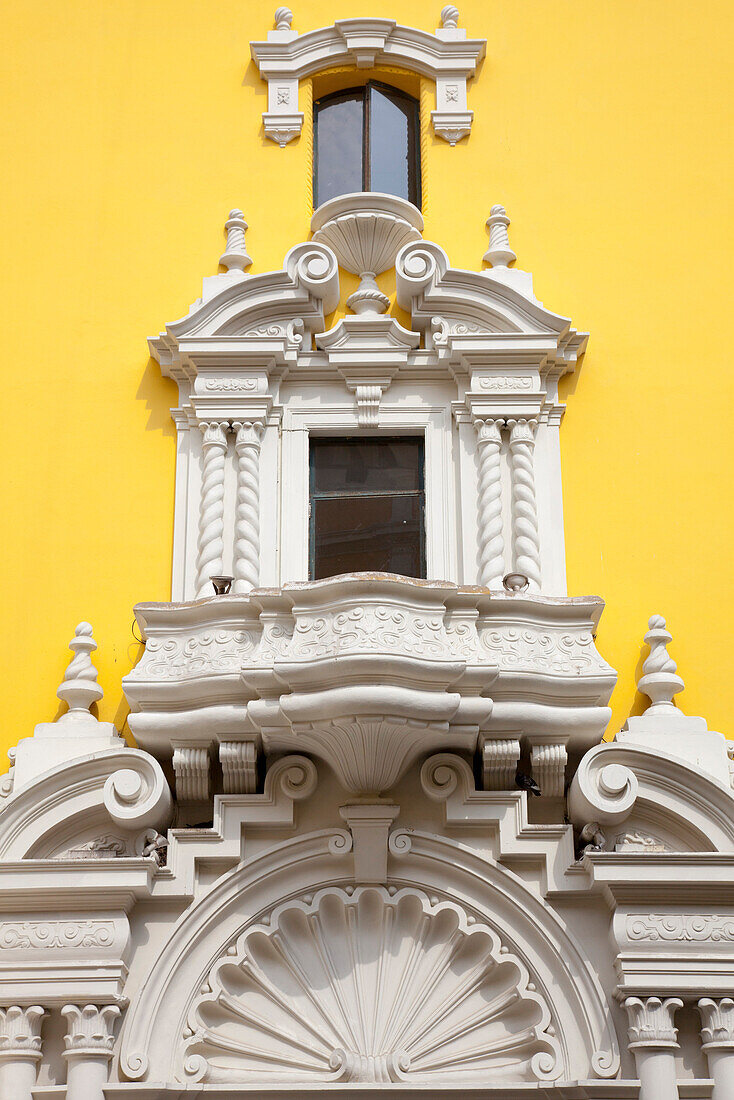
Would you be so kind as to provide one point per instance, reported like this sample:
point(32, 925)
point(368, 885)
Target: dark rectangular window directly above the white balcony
point(367, 508)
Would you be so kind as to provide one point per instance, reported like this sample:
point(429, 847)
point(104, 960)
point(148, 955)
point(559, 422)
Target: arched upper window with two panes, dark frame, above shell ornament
point(367, 140)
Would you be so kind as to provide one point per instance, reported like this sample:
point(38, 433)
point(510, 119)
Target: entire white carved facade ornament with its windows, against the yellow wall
point(370, 834)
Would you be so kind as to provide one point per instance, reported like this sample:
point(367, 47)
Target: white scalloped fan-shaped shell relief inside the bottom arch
point(370, 985)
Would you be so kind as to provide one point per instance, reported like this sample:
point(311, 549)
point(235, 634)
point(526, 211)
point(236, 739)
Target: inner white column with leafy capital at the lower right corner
point(654, 1042)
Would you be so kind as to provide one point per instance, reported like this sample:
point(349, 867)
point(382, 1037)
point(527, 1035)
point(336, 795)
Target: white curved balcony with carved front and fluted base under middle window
point(369, 673)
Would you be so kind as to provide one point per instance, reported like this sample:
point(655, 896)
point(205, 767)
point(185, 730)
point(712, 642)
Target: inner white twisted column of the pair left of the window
point(247, 521)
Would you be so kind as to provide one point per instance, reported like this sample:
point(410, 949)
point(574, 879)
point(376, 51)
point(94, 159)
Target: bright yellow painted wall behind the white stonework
point(132, 128)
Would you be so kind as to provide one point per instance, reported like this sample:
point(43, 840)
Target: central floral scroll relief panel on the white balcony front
point(376, 629)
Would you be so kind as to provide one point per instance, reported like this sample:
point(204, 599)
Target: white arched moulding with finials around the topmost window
point(447, 58)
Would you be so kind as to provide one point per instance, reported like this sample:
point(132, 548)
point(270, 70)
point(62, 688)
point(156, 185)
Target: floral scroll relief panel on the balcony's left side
point(202, 655)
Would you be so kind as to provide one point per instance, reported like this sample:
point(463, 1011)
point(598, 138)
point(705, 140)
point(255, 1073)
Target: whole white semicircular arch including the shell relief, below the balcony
point(258, 980)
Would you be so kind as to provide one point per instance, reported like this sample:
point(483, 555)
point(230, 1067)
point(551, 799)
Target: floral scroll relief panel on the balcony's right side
point(542, 652)
